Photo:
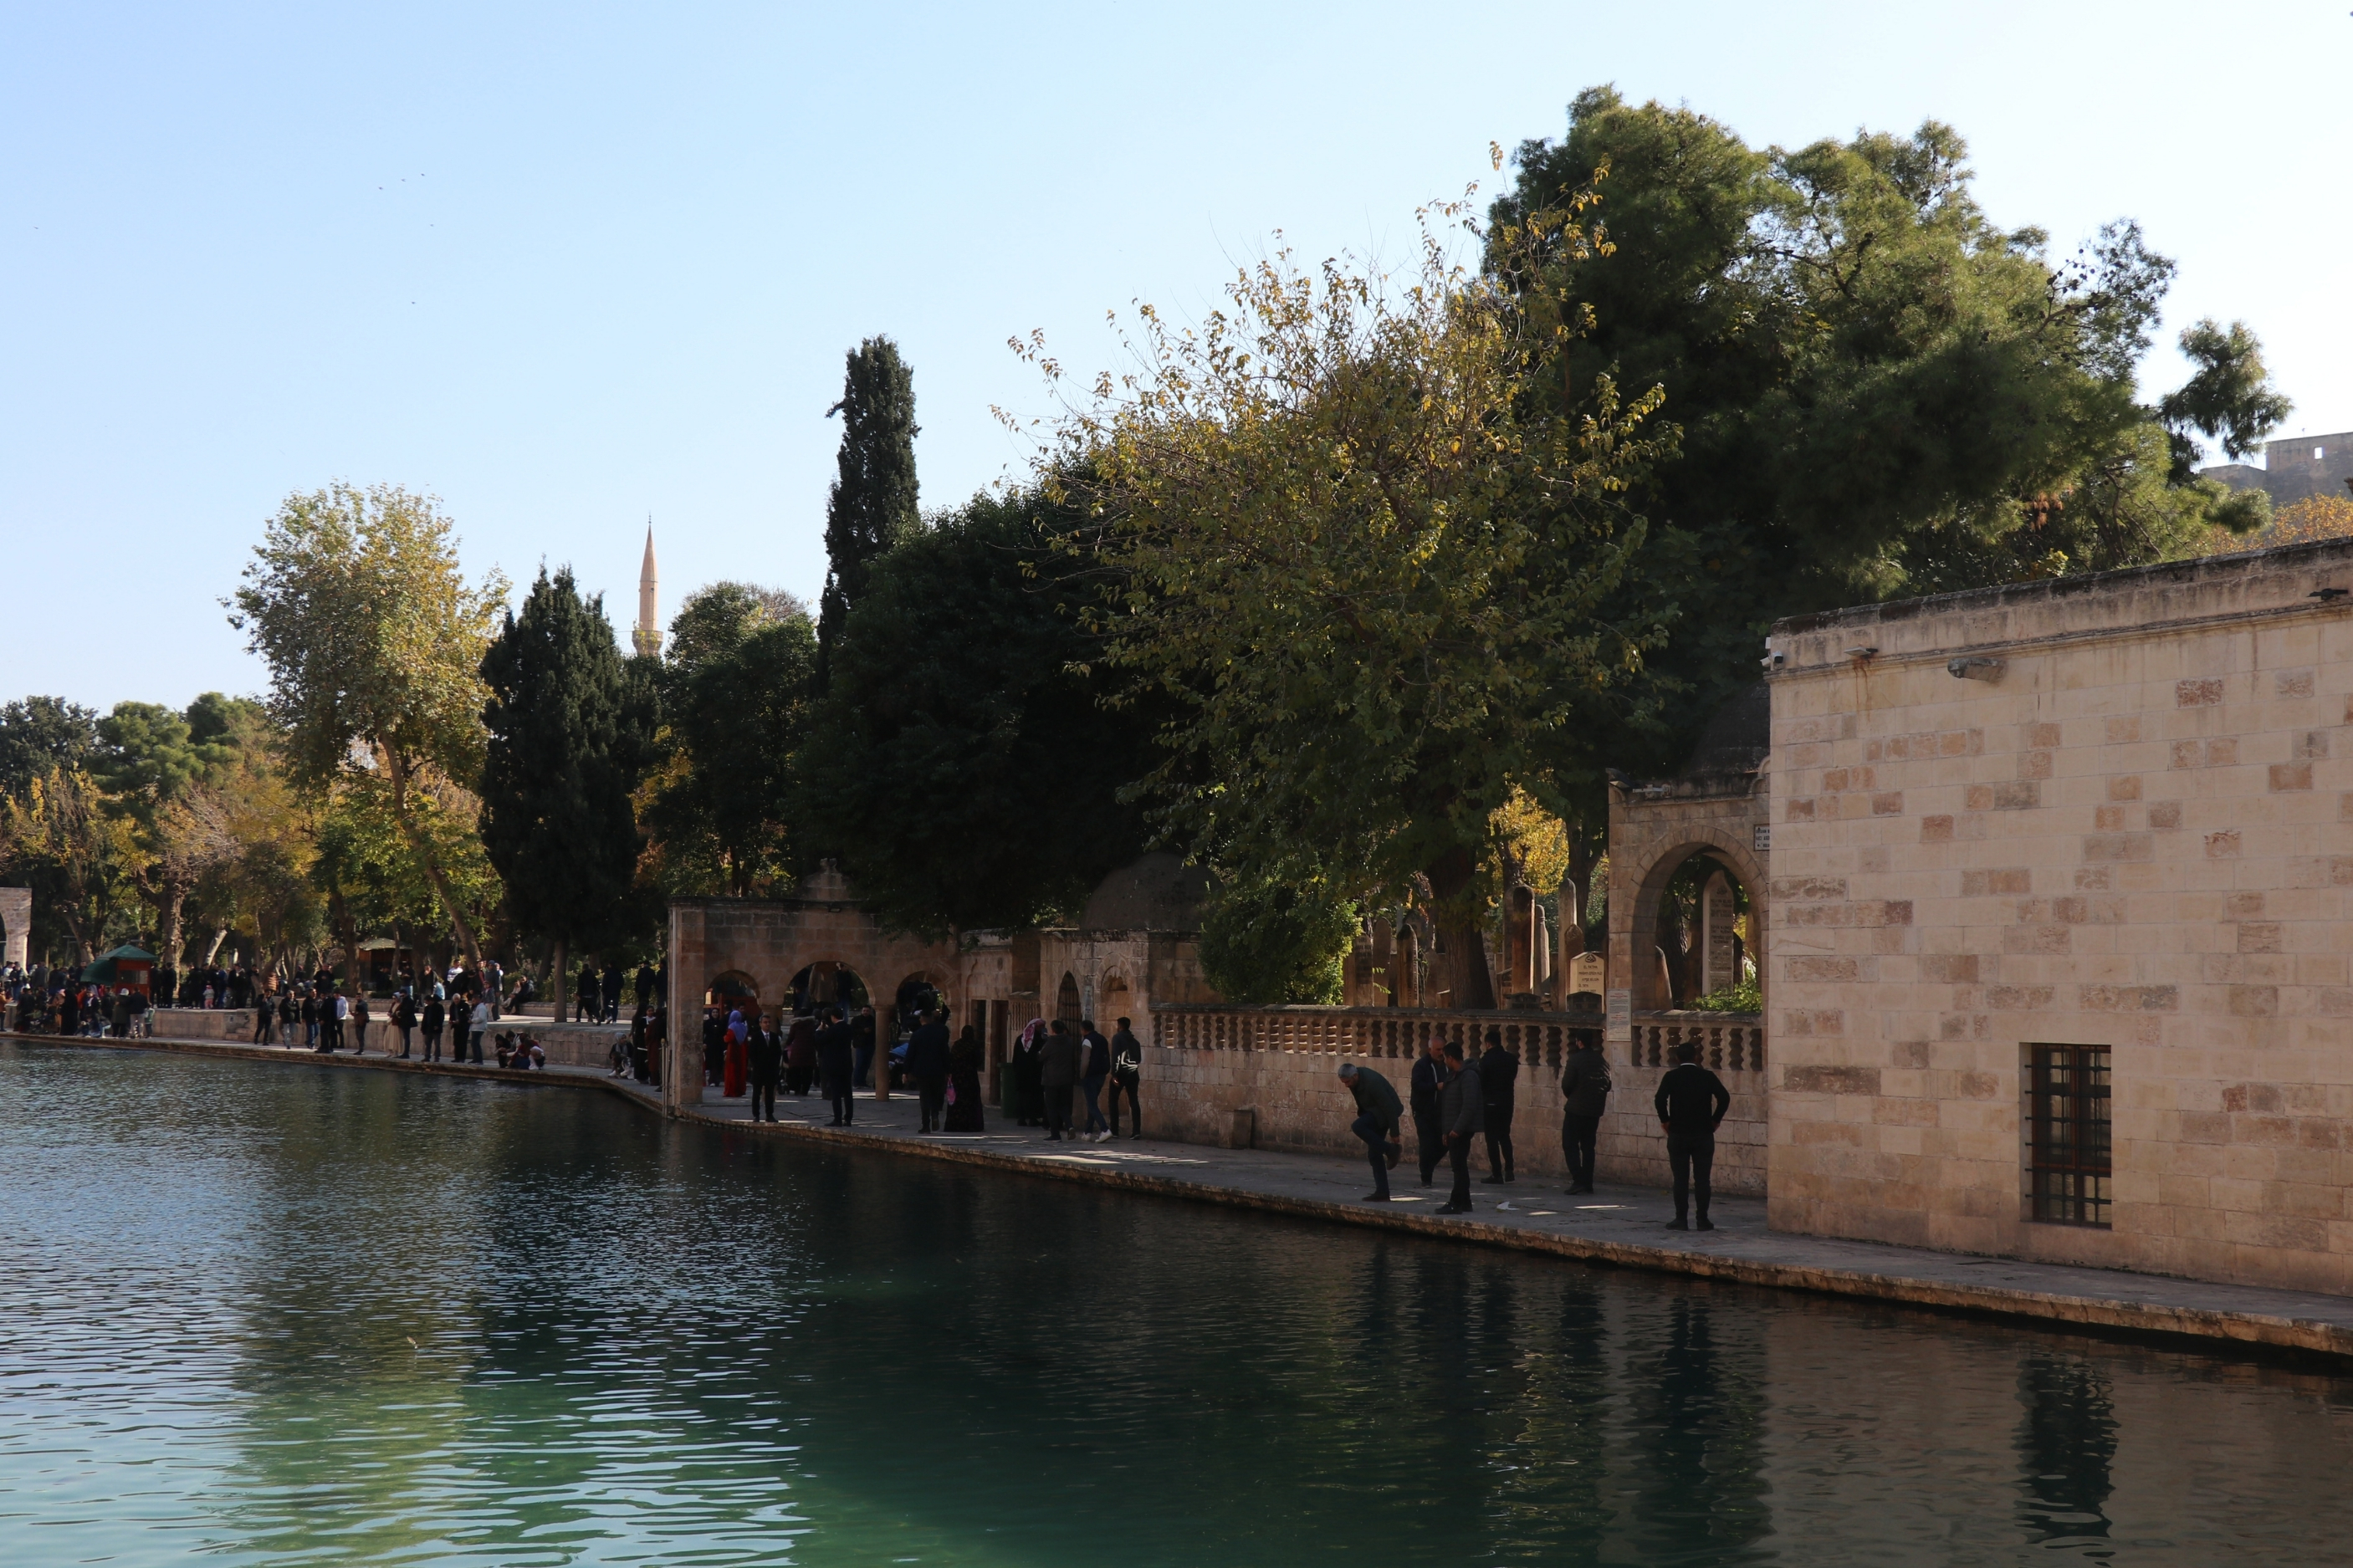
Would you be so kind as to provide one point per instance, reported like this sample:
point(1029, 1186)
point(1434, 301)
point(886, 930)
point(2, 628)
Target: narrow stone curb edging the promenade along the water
point(2253, 1329)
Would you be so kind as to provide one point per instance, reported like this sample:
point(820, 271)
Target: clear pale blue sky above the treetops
point(573, 267)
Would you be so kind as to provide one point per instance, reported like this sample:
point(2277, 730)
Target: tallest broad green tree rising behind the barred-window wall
point(1872, 389)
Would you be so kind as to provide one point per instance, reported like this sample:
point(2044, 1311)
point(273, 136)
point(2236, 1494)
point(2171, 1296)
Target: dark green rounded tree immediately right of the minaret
point(735, 688)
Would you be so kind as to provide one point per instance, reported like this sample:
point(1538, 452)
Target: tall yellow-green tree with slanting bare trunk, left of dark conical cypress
point(375, 645)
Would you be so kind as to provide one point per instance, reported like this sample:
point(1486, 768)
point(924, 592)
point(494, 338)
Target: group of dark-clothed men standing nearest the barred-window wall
point(1458, 1099)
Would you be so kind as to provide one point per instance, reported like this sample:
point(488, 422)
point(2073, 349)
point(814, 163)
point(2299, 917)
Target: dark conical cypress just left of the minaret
point(564, 758)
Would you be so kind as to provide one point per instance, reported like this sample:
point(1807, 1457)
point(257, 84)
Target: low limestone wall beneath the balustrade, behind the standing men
point(1302, 1108)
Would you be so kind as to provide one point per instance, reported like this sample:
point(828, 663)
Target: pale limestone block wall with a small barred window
point(2107, 812)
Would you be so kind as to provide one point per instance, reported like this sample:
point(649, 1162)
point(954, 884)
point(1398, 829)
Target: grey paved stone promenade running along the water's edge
point(1618, 1226)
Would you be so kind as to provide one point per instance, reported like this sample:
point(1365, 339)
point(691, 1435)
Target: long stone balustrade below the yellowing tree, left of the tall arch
point(1542, 1040)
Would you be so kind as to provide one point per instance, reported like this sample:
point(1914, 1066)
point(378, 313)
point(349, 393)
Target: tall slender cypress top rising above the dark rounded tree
point(874, 490)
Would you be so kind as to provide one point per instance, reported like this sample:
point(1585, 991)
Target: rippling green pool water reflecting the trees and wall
point(302, 1315)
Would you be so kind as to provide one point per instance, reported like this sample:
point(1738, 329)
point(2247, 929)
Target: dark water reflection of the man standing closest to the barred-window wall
point(1702, 1485)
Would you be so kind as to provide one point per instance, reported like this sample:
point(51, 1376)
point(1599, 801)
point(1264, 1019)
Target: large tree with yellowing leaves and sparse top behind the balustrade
point(1368, 568)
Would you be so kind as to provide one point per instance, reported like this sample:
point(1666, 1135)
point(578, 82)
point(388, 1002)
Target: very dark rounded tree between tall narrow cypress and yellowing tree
point(964, 765)
